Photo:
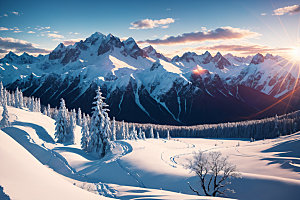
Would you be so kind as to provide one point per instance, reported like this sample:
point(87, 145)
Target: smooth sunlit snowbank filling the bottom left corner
point(23, 177)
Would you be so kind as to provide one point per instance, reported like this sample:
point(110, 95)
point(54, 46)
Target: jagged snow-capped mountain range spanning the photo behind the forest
point(142, 85)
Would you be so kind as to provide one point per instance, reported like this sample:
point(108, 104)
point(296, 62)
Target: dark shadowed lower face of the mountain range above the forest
point(206, 100)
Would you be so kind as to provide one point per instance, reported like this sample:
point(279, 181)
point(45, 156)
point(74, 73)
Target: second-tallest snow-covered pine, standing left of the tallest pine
point(61, 123)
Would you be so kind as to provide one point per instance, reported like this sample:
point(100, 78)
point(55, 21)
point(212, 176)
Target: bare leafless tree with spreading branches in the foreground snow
point(214, 172)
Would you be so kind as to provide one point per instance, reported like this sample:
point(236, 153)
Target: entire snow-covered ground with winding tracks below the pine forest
point(33, 166)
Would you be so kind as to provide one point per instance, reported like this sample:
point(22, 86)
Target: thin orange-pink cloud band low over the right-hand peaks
point(243, 49)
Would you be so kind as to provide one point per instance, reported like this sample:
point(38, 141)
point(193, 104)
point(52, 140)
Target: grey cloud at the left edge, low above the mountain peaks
point(19, 46)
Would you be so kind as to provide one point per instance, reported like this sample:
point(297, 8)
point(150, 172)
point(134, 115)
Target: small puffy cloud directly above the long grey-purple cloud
point(149, 23)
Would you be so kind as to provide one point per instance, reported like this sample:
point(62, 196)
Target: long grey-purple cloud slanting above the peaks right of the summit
point(223, 33)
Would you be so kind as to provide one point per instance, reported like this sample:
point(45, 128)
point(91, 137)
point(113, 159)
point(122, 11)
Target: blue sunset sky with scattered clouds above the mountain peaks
point(240, 27)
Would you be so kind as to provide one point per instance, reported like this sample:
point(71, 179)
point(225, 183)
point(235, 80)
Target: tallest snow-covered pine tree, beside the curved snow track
point(98, 141)
